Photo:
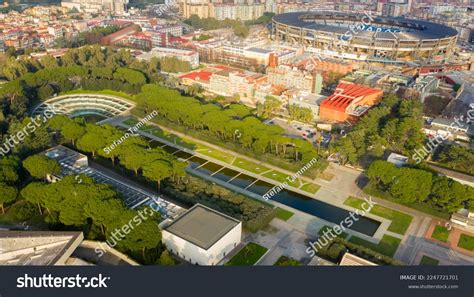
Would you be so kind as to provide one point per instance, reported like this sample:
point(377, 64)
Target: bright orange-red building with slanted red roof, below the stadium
point(349, 102)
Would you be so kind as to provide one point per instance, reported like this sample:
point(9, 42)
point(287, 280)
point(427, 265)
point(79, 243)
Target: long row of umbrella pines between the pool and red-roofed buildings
point(231, 124)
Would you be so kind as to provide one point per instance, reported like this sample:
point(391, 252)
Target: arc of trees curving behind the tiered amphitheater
point(89, 68)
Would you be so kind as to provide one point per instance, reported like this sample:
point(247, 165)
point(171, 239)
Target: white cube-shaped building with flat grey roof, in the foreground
point(202, 235)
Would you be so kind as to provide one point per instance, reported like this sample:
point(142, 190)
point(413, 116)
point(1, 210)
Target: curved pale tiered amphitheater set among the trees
point(85, 104)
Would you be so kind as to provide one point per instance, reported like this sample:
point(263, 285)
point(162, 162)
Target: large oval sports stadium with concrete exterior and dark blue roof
point(364, 37)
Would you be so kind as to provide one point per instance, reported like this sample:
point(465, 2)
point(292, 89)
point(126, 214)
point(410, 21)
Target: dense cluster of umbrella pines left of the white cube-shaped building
point(94, 207)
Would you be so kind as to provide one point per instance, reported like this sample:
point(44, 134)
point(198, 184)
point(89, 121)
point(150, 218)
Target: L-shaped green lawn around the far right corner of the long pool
point(400, 221)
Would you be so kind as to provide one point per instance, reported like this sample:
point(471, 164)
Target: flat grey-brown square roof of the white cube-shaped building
point(202, 226)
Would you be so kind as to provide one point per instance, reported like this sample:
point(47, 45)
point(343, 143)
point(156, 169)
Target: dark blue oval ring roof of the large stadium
point(411, 29)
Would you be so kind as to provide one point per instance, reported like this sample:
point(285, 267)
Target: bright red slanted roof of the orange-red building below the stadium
point(345, 94)
